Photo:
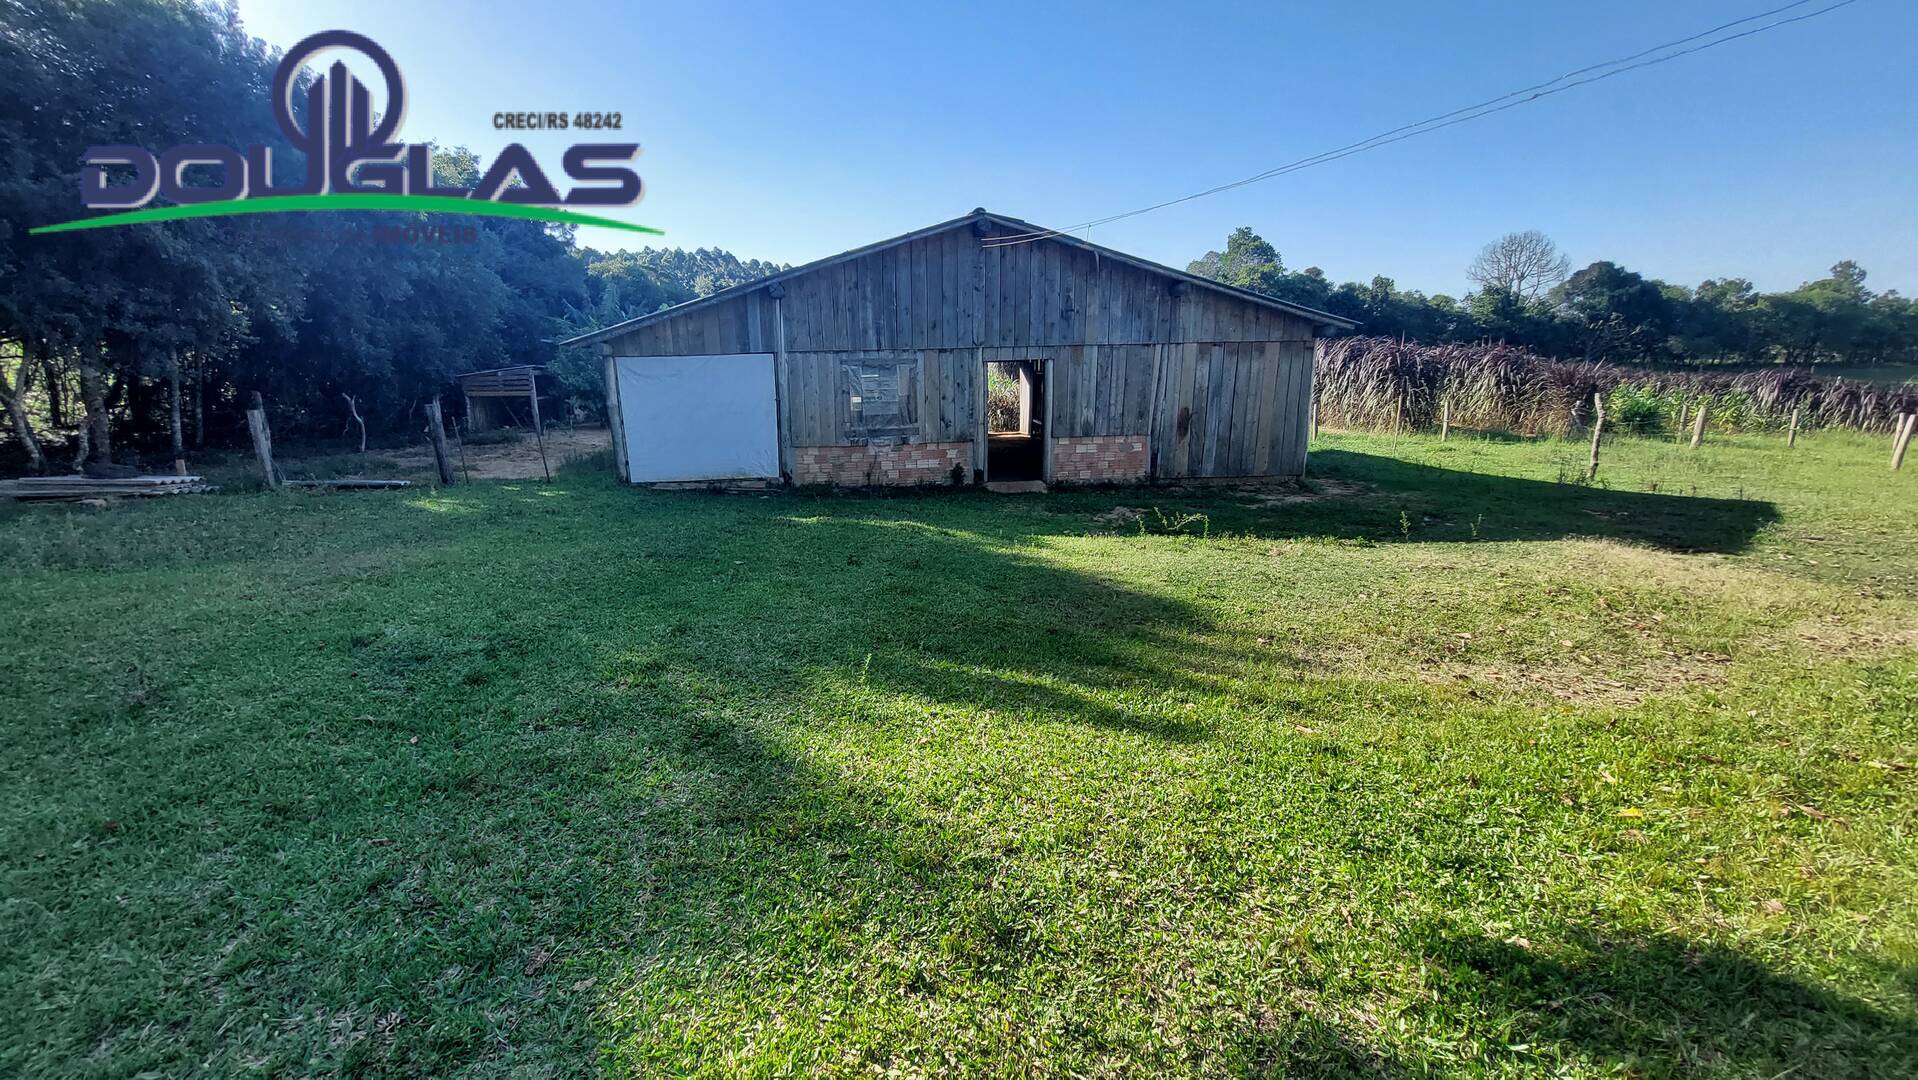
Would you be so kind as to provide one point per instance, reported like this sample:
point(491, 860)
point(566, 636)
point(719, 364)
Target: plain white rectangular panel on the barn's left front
point(699, 417)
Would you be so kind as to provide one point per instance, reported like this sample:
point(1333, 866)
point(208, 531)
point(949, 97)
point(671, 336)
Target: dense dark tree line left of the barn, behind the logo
point(129, 339)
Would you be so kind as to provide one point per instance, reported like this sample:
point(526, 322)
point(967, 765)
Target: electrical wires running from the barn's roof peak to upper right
point(1466, 114)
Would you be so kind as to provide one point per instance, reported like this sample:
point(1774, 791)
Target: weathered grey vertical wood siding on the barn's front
point(1221, 385)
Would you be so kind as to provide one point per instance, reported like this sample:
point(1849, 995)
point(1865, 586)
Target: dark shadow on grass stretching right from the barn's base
point(1355, 496)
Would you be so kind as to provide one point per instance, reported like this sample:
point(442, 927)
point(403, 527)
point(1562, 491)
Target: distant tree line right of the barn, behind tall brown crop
point(1604, 312)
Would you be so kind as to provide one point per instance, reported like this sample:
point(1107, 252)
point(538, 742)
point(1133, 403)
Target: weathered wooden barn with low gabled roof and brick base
point(977, 350)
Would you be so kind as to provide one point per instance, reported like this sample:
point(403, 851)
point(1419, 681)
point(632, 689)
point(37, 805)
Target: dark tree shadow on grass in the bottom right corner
point(1608, 1002)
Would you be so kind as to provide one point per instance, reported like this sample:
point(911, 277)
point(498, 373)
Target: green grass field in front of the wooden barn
point(1436, 764)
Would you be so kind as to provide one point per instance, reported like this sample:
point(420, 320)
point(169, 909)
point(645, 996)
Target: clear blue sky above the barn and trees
point(795, 131)
